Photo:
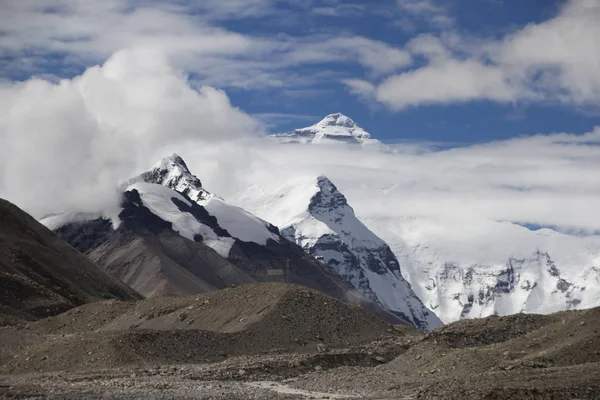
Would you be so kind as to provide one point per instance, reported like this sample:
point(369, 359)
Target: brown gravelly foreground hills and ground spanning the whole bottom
point(276, 341)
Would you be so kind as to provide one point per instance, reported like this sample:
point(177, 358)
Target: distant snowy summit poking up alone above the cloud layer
point(331, 129)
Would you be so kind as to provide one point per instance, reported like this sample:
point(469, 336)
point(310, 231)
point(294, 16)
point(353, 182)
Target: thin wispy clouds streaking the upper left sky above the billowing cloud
point(56, 36)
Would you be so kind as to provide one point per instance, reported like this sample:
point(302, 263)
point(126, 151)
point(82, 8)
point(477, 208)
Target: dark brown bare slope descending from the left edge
point(41, 275)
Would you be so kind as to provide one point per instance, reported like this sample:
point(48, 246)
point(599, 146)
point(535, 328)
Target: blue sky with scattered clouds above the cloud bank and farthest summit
point(419, 70)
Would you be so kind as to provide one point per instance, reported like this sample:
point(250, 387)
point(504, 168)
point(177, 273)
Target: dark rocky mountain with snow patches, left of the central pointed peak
point(163, 241)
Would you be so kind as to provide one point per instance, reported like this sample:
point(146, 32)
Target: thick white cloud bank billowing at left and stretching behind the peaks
point(64, 146)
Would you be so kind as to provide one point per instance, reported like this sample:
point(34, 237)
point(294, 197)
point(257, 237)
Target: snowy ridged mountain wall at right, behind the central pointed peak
point(493, 267)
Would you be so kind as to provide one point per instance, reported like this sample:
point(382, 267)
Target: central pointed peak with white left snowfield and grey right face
point(315, 215)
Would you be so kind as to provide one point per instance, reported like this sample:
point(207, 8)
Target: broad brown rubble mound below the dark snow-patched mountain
point(249, 319)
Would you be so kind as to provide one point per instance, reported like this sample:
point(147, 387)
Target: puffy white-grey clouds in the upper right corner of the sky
point(552, 61)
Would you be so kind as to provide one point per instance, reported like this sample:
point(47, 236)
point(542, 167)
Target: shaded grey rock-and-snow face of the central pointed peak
point(359, 256)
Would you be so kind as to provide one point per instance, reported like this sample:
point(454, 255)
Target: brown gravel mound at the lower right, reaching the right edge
point(521, 356)
